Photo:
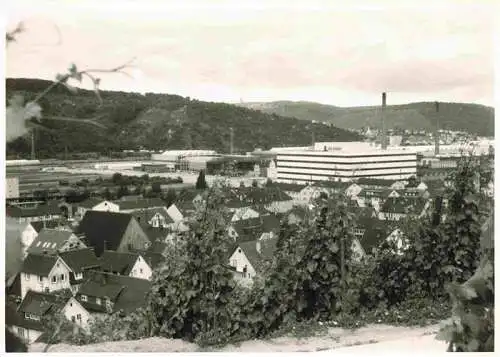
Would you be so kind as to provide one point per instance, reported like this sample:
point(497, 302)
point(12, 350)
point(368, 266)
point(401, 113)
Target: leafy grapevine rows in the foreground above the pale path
point(313, 277)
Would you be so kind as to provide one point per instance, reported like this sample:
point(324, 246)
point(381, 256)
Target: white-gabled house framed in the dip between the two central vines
point(249, 258)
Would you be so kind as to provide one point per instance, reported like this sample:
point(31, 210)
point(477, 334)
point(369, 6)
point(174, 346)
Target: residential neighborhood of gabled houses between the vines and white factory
point(104, 254)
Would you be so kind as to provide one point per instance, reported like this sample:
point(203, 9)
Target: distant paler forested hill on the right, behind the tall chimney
point(472, 118)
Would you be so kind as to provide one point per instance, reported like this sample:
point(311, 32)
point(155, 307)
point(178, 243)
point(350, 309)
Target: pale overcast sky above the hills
point(266, 50)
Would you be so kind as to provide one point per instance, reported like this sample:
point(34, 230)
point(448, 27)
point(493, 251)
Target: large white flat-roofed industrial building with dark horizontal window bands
point(344, 162)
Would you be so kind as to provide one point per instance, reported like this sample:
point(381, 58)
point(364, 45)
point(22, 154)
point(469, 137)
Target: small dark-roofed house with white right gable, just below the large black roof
point(127, 264)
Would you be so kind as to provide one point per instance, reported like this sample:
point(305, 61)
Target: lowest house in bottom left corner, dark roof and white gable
point(26, 320)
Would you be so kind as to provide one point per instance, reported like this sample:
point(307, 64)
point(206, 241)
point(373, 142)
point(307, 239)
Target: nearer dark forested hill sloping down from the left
point(158, 121)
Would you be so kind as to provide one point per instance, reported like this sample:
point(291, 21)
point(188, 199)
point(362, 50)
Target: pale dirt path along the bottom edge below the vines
point(334, 339)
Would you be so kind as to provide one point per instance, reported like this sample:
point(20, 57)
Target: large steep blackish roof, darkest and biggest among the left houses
point(104, 227)
